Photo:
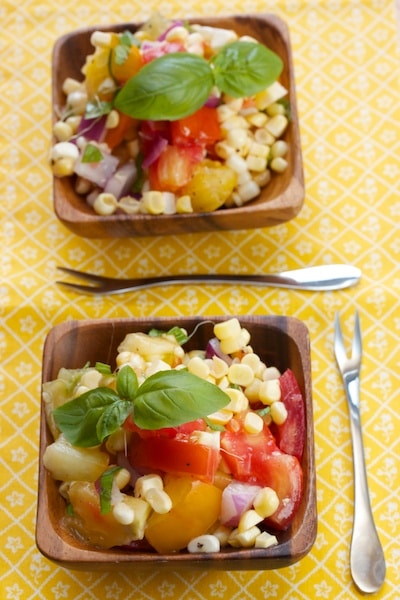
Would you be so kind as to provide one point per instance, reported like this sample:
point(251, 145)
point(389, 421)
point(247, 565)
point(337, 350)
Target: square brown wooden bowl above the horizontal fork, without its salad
point(279, 201)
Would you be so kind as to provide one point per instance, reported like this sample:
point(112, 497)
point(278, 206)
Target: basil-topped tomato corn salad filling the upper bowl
point(173, 118)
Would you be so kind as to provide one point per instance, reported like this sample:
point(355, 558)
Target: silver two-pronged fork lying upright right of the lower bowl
point(367, 561)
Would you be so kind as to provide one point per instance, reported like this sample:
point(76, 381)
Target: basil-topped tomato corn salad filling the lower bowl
point(177, 450)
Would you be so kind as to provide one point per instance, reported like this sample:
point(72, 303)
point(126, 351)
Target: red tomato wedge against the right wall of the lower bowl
point(290, 436)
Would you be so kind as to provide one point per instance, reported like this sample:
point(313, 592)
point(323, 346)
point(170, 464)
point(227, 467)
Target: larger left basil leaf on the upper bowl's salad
point(167, 88)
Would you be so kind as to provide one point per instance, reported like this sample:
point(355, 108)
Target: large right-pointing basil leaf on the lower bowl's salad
point(171, 398)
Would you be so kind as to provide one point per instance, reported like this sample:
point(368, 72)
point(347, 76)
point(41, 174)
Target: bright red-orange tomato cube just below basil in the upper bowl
point(202, 126)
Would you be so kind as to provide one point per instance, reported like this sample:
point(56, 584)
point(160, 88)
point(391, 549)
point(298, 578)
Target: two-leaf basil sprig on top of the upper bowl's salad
point(175, 85)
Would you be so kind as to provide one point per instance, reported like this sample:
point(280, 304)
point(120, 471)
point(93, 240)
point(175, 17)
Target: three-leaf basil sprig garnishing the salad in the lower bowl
point(165, 399)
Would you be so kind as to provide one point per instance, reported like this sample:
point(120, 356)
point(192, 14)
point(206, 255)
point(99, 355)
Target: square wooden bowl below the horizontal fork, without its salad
point(280, 341)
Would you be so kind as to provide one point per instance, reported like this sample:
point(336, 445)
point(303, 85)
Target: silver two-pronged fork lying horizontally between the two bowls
point(317, 278)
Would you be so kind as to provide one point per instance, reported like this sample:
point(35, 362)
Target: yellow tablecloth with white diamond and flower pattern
point(347, 72)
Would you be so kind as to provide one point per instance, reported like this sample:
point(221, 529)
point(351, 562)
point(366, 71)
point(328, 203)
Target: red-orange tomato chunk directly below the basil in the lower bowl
point(177, 455)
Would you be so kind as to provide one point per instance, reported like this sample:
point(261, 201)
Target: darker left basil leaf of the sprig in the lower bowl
point(78, 418)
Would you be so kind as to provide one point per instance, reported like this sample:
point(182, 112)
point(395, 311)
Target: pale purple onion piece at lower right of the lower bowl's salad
point(237, 497)
